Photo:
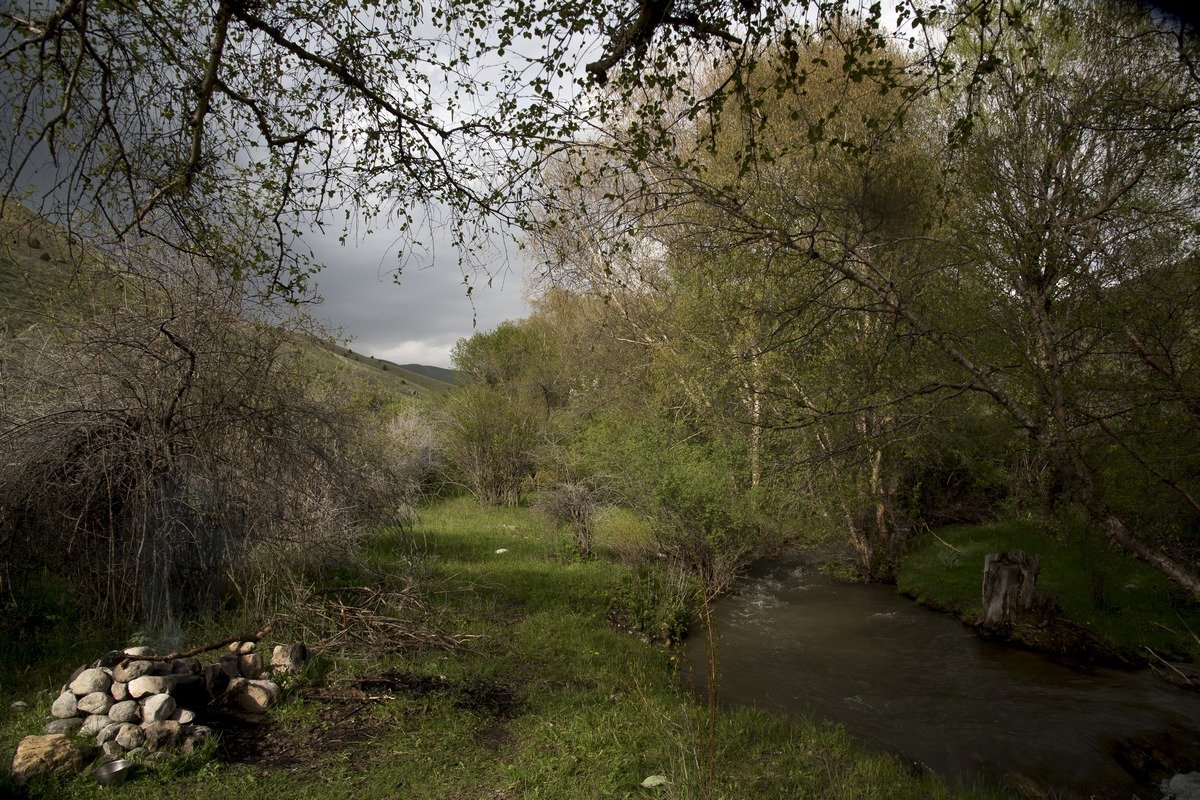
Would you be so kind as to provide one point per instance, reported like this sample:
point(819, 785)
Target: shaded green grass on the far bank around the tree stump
point(1123, 603)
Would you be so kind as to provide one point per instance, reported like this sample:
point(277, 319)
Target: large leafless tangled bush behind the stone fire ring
point(159, 434)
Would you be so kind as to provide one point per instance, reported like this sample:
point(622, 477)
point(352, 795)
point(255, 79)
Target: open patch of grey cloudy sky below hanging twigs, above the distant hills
point(419, 321)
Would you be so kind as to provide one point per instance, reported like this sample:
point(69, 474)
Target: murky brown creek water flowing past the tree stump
point(923, 687)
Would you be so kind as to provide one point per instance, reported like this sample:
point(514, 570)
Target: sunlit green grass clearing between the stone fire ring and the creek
point(548, 701)
